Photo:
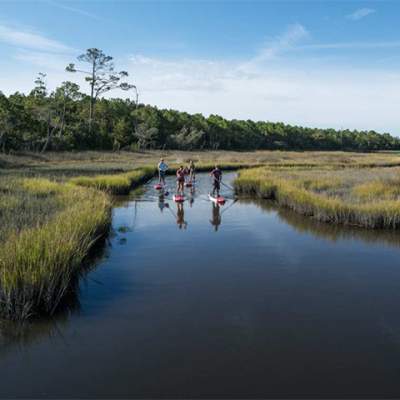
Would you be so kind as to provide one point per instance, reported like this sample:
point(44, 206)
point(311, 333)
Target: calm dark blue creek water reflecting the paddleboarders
point(243, 301)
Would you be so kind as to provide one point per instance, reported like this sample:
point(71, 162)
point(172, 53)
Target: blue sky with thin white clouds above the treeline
point(312, 63)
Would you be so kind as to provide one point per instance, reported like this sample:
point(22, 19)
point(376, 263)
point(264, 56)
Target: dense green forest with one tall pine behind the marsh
point(67, 119)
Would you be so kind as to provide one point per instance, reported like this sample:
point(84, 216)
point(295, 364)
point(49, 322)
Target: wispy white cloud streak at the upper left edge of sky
point(31, 40)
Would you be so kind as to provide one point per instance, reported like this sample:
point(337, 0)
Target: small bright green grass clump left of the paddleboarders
point(118, 183)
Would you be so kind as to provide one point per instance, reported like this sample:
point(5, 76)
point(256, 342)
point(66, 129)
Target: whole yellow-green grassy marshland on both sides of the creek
point(55, 207)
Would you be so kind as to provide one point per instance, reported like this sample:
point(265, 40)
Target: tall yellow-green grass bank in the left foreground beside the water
point(47, 230)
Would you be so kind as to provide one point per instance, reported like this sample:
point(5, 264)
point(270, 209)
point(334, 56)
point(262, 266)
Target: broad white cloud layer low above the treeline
point(265, 87)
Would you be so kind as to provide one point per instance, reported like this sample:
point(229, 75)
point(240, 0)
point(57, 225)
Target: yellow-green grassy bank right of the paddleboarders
point(367, 198)
